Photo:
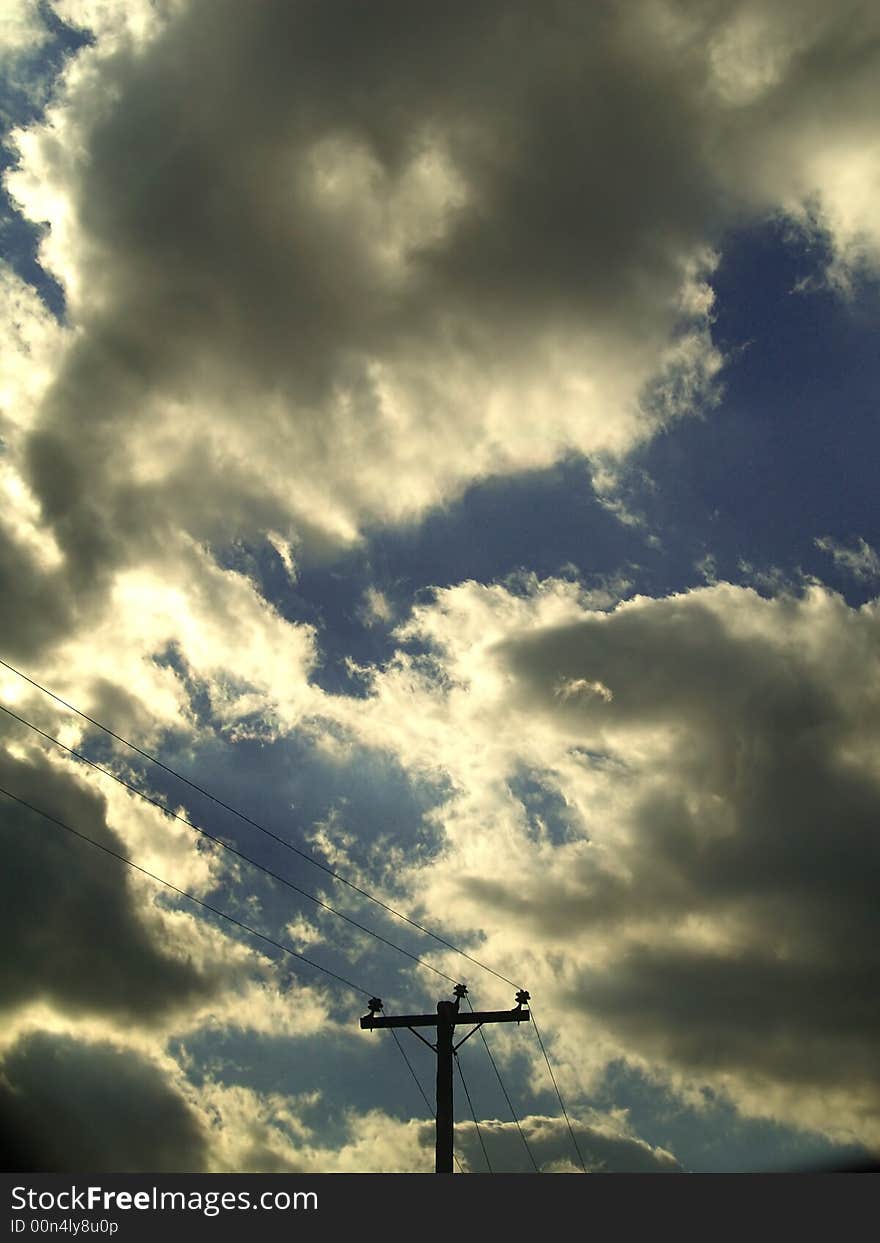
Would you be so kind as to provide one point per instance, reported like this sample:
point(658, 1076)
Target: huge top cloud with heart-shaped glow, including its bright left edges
point(427, 260)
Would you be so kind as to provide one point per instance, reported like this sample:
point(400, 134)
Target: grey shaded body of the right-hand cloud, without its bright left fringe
point(745, 729)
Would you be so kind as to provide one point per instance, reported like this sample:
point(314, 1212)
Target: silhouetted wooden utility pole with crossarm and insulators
point(446, 1048)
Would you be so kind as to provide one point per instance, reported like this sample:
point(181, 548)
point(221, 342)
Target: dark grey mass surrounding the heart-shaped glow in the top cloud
point(278, 200)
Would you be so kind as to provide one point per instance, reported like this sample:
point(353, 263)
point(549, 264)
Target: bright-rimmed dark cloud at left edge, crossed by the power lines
point(95, 950)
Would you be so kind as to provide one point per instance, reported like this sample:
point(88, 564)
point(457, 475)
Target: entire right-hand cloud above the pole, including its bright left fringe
point(705, 906)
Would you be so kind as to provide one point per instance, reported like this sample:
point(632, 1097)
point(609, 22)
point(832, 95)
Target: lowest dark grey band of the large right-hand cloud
point(792, 1022)
